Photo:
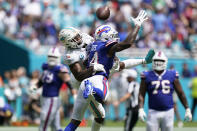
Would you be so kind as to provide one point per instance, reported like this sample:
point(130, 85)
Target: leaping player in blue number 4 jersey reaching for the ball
point(94, 90)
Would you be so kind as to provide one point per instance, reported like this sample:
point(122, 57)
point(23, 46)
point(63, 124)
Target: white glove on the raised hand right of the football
point(142, 16)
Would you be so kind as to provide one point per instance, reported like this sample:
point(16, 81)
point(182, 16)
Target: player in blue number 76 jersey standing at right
point(160, 84)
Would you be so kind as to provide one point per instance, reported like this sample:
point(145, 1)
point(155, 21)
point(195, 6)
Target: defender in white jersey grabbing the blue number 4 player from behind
point(73, 41)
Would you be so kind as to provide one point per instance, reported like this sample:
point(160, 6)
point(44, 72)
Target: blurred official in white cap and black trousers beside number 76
point(132, 100)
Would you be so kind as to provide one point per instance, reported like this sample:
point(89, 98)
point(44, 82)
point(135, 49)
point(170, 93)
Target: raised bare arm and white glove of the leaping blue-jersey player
point(142, 16)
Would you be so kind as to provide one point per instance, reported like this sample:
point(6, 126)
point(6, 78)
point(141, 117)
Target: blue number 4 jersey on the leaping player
point(98, 54)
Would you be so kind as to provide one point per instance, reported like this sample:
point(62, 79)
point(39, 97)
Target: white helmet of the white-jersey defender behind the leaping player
point(71, 37)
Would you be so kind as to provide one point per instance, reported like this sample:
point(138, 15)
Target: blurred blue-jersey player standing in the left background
point(54, 75)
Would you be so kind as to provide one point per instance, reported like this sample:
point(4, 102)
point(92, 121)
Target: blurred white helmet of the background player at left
point(54, 56)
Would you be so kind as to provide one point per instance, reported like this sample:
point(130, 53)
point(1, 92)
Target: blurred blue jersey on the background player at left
point(51, 82)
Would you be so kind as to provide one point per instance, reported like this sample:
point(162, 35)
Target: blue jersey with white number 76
point(160, 89)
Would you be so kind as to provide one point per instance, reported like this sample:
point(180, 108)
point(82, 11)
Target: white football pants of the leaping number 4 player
point(81, 104)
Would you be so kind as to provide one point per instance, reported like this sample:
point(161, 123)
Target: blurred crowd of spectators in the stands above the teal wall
point(176, 19)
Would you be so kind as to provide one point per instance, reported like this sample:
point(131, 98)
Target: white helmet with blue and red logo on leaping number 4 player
point(105, 33)
